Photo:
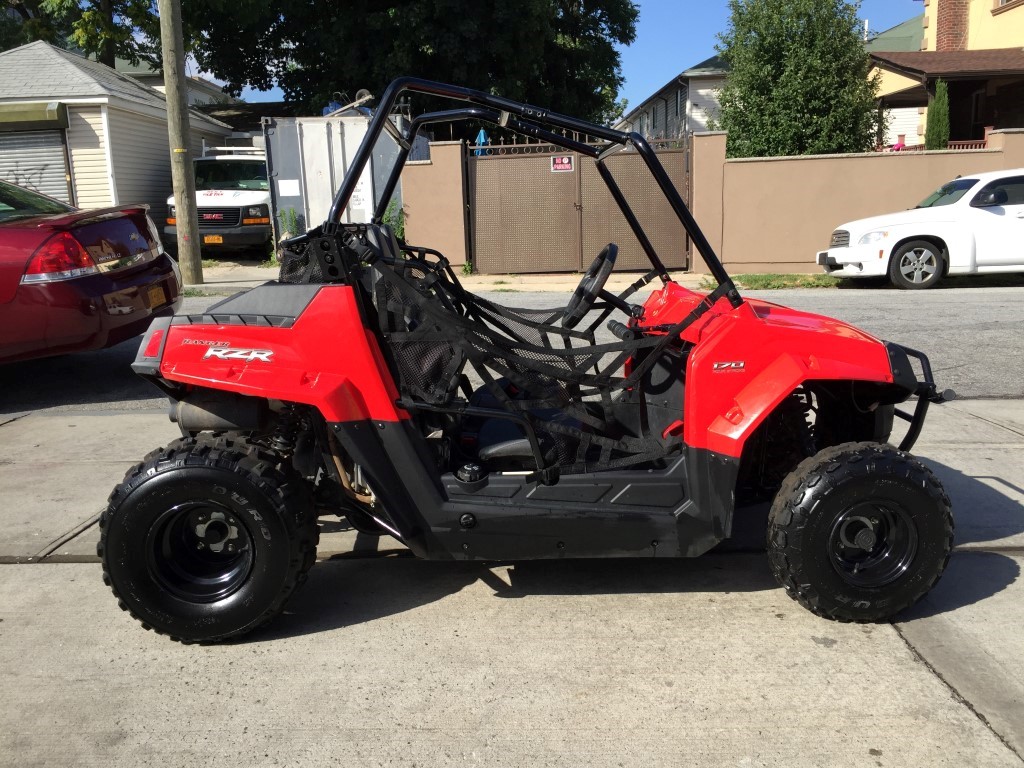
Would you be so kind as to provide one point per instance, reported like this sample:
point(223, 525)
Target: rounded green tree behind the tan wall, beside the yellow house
point(799, 79)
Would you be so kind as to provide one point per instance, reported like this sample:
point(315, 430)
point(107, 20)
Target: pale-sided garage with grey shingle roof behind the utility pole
point(81, 133)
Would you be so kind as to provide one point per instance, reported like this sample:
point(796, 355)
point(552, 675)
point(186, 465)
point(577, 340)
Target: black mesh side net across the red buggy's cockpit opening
point(585, 411)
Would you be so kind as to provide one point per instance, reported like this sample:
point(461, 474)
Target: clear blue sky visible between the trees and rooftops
point(674, 35)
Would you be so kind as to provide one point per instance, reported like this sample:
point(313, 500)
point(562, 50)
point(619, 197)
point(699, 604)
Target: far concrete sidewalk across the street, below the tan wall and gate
point(231, 277)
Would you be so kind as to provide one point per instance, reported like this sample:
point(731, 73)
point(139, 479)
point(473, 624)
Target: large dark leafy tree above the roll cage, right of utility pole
point(557, 54)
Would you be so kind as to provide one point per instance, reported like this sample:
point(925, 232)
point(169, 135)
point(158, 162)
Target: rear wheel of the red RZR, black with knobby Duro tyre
point(204, 543)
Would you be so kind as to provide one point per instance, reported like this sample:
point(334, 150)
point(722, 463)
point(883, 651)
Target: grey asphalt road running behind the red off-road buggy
point(972, 335)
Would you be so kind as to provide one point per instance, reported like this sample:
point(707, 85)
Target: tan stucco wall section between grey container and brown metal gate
point(435, 201)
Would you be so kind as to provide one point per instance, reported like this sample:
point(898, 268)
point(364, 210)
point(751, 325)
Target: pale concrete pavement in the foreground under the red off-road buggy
point(390, 661)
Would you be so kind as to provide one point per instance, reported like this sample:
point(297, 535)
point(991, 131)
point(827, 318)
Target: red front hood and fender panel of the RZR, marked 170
point(748, 360)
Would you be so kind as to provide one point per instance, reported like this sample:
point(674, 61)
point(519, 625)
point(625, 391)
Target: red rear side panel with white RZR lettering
point(327, 360)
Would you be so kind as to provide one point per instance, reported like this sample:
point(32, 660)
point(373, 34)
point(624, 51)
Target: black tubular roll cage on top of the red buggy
point(535, 122)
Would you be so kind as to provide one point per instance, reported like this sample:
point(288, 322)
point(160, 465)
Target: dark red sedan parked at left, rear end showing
point(74, 280)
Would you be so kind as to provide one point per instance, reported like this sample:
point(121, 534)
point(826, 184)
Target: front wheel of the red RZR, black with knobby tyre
point(860, 532)
